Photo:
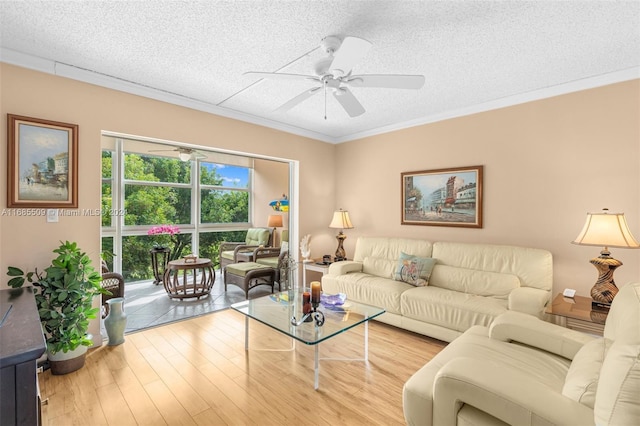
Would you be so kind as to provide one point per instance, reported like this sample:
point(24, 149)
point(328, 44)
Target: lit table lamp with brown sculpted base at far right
point(605, 230)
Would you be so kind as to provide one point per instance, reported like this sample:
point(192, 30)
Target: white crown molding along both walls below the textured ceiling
point(68, 71)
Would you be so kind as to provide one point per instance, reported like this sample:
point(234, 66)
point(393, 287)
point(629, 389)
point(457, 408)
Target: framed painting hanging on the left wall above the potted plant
point(42, 163)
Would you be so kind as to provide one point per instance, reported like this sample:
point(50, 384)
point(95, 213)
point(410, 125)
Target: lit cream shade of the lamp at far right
point(606, 229)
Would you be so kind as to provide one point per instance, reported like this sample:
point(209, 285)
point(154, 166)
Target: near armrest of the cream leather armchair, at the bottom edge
point(502, 392)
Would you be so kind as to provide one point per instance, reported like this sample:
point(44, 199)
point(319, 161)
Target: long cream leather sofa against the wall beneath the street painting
point(471, 284)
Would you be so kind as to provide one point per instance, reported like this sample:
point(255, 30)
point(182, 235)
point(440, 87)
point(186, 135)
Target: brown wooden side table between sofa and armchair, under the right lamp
point(577, 314)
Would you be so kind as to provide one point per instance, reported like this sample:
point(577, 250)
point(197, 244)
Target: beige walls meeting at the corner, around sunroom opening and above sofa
point(547, 164)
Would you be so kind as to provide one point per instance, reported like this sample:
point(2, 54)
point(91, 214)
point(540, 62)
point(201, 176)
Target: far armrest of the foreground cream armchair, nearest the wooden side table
point(532, 331)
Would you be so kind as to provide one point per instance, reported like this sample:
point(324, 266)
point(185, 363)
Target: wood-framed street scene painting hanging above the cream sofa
point(443, 197)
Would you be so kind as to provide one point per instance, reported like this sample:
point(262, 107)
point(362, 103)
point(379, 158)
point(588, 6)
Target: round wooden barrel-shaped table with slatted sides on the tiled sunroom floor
point(184, 280)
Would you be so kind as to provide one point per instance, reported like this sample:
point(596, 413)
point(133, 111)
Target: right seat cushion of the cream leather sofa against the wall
point(450, 309)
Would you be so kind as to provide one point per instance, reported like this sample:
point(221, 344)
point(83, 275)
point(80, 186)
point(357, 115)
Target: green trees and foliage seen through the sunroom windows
point(161, 194)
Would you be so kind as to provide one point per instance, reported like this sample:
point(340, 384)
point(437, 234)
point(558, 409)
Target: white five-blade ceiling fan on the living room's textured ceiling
point(333, 74)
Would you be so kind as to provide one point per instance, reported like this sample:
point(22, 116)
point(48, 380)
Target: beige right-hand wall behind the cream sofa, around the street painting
point(546, 164)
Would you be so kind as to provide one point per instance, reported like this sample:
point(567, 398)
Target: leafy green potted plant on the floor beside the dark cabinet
point(64, 298)
